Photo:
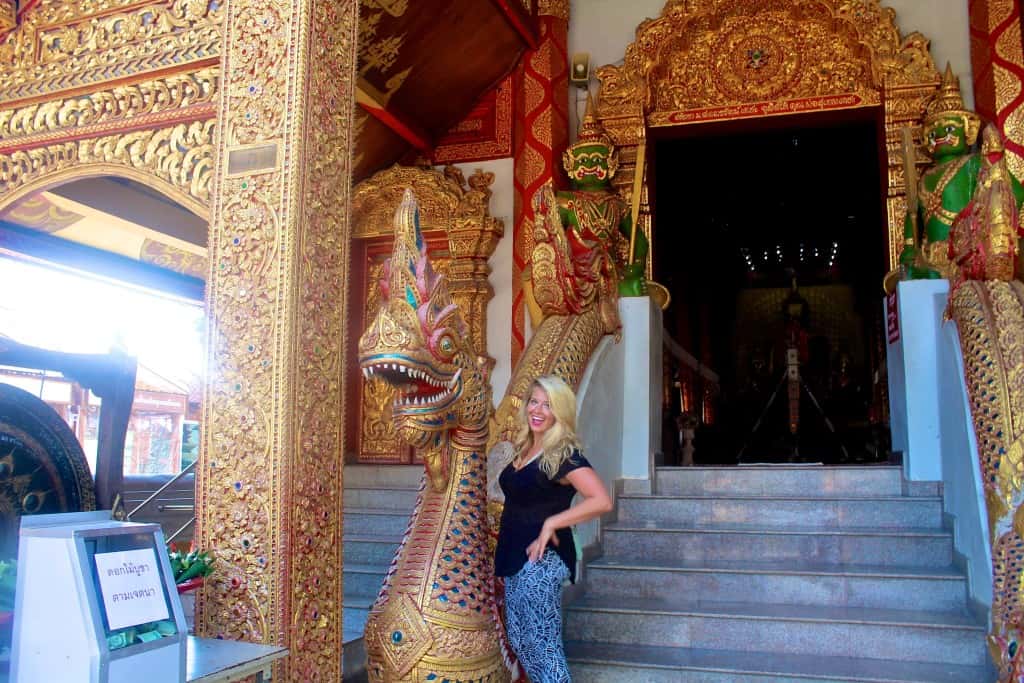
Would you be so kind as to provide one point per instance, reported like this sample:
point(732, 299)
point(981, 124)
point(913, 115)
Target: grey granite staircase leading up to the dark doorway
point(777, 574)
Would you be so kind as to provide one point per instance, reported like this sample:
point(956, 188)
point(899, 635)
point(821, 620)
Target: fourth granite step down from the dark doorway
point(788, 583)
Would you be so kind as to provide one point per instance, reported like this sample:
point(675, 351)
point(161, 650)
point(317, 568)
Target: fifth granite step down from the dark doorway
point(954, 637)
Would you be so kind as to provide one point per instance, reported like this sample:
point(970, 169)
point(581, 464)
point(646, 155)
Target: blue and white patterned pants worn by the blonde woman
point(534, 616)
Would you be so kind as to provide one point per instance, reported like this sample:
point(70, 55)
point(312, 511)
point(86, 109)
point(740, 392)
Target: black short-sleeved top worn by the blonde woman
point(530, 499)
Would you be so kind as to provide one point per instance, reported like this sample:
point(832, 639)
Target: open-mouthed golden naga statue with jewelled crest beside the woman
point(436, 618)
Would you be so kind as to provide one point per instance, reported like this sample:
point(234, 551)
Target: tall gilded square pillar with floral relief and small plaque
point(270, 496)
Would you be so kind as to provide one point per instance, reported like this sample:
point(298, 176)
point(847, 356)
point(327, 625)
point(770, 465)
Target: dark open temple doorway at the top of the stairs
point(773, 241)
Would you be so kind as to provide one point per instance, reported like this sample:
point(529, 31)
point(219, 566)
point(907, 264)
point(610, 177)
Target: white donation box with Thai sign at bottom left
point(96, 604)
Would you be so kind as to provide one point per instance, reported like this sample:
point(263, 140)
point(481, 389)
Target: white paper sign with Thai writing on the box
point(132, 586)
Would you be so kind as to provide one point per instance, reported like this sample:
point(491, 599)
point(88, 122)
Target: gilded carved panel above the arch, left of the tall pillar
point(75, 100)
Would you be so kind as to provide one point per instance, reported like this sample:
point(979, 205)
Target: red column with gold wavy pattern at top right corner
point(998, 66)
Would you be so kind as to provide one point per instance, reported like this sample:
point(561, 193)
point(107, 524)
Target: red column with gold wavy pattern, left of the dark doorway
point(541, 135)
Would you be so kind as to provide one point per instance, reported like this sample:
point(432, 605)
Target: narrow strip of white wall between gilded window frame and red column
point(500, 309)
